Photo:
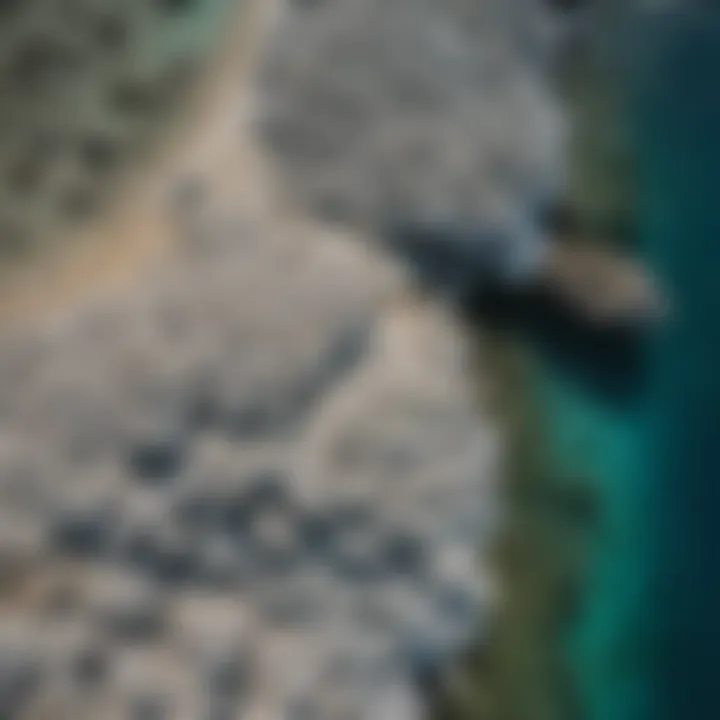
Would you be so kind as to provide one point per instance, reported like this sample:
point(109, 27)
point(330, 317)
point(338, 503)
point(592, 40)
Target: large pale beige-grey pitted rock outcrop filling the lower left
point(260, 431)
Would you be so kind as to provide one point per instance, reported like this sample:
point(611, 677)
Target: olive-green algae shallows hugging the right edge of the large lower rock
point(519, 671)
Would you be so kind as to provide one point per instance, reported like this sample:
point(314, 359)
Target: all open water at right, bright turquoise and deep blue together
point(646, 642)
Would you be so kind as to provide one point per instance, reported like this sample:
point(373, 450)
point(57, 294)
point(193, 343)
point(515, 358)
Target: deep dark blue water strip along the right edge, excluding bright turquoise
point(680, 117)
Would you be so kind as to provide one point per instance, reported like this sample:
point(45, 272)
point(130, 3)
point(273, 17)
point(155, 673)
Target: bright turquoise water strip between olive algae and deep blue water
point(600, 442)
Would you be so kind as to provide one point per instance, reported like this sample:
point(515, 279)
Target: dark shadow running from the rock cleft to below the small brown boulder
point(463, 265)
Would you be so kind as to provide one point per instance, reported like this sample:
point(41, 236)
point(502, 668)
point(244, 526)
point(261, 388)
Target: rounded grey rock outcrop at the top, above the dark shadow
point(380, 110)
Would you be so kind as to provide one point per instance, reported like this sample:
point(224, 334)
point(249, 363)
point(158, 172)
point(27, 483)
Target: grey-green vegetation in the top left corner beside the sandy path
point(89, 93)
